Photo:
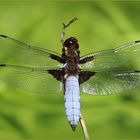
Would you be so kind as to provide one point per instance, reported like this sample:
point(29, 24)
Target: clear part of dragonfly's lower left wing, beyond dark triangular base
point(36, 80)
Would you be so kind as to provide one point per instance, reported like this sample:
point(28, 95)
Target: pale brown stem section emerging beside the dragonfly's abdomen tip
point(84, 128)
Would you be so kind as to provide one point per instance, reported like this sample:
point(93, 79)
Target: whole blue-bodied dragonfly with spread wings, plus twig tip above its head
point(40, 70)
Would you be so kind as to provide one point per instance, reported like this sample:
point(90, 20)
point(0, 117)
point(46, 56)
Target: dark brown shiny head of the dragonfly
point(71, 43)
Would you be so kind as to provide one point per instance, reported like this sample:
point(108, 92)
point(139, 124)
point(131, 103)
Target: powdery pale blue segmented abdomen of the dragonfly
point(72, 100)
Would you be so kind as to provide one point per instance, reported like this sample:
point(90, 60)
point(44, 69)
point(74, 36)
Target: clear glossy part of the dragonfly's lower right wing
point(108, 83)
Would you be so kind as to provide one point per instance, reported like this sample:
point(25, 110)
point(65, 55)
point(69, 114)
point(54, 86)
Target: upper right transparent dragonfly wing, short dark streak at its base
point(124, 57)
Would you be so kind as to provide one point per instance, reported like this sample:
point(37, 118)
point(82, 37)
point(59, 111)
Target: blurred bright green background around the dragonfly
point(101, 25)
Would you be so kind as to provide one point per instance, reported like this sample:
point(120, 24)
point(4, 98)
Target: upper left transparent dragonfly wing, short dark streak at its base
point(18, 53)
